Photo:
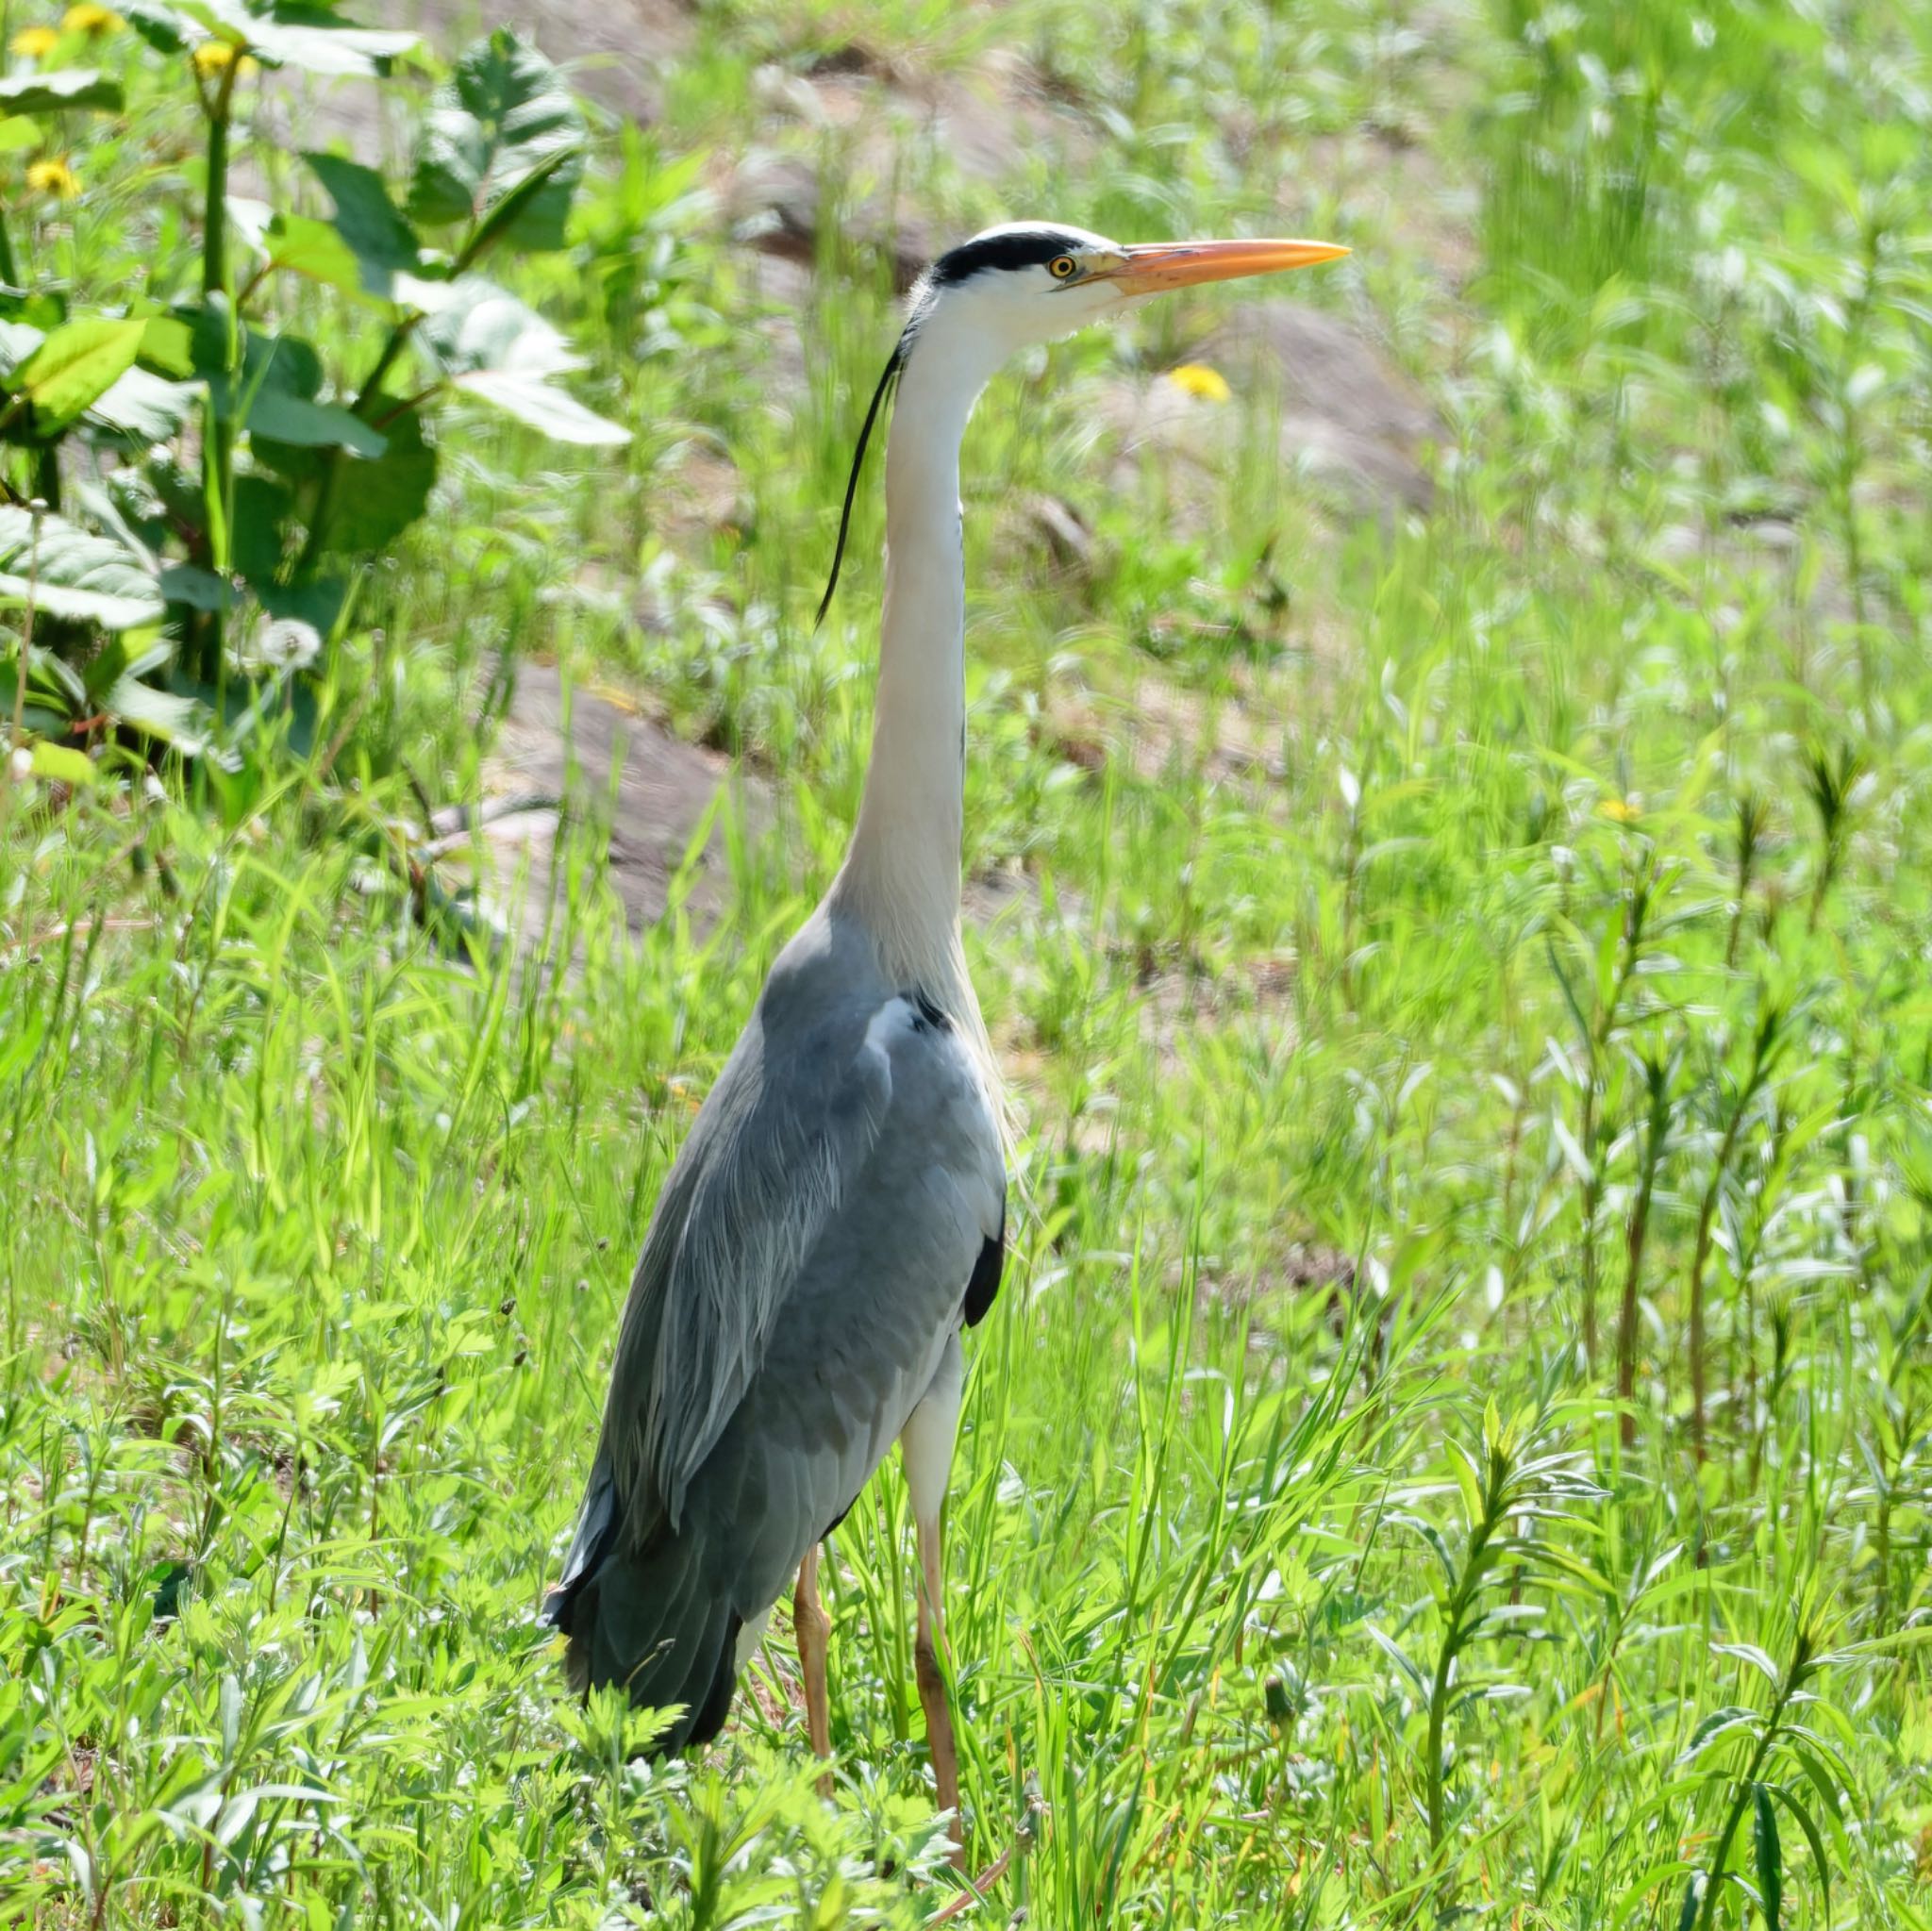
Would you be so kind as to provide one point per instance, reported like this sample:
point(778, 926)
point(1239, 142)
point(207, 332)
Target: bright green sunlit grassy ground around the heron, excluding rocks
point(1479, 997)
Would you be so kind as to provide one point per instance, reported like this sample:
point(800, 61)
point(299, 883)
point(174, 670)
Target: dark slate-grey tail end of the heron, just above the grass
point(646, 1619)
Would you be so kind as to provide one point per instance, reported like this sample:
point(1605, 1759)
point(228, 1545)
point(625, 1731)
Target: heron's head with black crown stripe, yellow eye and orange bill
point(1027, 283)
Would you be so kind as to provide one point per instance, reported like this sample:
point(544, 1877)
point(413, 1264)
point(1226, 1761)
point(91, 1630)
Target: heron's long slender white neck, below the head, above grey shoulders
point(903, 872)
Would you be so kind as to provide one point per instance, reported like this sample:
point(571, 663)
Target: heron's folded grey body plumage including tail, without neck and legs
point(807, 1270)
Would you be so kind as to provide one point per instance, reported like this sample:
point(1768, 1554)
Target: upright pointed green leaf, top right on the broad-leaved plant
point(503, 148)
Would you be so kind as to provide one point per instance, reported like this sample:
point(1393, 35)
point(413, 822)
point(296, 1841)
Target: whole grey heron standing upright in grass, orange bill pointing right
point(838, 1214)
